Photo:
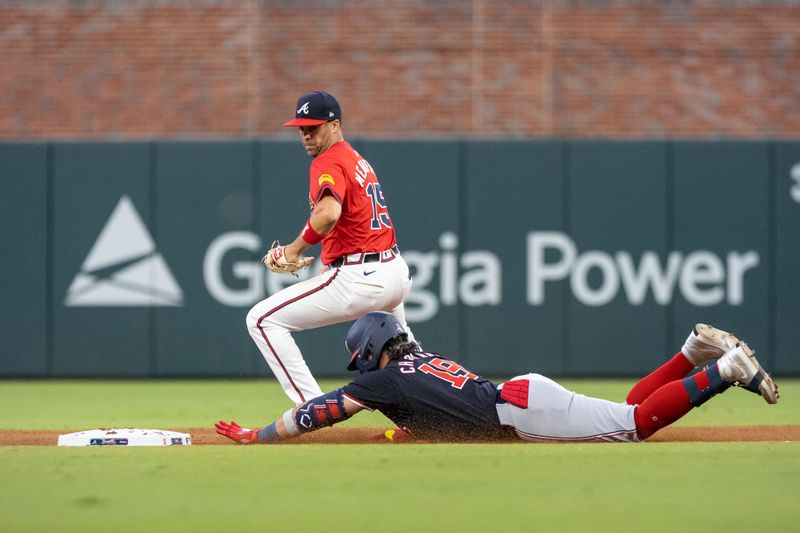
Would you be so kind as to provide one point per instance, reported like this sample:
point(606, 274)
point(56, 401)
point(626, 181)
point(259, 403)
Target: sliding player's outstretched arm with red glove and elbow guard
point(322, 411)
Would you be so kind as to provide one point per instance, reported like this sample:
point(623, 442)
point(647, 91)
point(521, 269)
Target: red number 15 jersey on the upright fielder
point(364, 225)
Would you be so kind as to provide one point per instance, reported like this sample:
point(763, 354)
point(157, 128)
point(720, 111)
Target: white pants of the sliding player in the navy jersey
point(557, 414)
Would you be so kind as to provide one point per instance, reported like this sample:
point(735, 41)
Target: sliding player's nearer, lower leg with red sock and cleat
point(673, 400)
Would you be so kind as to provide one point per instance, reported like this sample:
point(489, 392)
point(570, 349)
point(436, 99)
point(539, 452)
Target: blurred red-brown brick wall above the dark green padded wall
point(412, 69)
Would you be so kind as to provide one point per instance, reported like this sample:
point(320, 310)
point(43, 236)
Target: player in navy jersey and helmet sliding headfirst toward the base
point(434, 398)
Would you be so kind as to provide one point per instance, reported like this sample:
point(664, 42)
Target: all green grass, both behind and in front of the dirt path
point(568, 487)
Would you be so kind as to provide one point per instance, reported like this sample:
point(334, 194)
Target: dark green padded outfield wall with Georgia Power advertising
point(564, 257)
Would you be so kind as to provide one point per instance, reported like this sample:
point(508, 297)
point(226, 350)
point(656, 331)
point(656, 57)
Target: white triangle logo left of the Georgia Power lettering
point(123, 267)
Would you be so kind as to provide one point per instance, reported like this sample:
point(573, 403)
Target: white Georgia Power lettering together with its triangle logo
point(124, 268)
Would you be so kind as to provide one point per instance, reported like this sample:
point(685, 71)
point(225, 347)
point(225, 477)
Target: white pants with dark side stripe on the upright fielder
point(337, 295)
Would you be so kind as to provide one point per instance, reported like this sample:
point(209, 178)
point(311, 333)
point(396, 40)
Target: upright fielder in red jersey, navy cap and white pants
point(350, 219)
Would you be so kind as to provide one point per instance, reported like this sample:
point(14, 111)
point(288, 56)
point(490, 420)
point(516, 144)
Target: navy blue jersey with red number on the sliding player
point(432, 398)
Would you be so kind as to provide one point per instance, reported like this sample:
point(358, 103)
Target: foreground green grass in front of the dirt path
point(658, 487)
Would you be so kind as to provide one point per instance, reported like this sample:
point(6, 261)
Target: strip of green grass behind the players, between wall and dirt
point(184, 404)
